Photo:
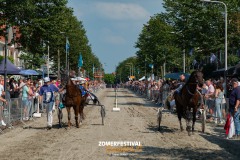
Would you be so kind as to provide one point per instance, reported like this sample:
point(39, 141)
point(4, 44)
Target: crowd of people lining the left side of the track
point(29, 91)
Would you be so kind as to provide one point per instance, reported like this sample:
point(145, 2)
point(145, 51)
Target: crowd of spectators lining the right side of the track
point(213, 92)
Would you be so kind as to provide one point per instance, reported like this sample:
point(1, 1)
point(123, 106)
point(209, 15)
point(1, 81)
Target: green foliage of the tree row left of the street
point(42, 24)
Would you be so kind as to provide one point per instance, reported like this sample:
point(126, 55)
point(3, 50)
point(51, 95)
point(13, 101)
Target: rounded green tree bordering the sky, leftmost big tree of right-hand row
point(155, 44)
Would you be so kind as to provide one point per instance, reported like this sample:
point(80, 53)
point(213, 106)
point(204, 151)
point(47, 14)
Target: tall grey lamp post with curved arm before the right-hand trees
point(225, 7)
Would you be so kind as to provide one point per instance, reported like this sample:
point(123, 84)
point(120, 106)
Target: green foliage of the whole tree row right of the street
point(188, 24)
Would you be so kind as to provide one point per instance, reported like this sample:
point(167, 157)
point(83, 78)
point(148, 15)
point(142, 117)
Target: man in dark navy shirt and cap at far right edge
point(234, 102)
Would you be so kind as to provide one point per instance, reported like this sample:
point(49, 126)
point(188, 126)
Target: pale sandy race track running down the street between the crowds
point(136, 121)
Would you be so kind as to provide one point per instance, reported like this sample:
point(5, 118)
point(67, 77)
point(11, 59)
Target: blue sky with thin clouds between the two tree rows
point(113, 26)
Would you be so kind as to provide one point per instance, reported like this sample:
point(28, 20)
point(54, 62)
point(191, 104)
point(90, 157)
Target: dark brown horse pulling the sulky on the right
point(188, 99)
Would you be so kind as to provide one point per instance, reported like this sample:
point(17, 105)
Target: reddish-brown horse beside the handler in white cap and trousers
point(73, 98)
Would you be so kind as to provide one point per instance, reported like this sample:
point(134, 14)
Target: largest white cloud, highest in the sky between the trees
point(121, 11)
